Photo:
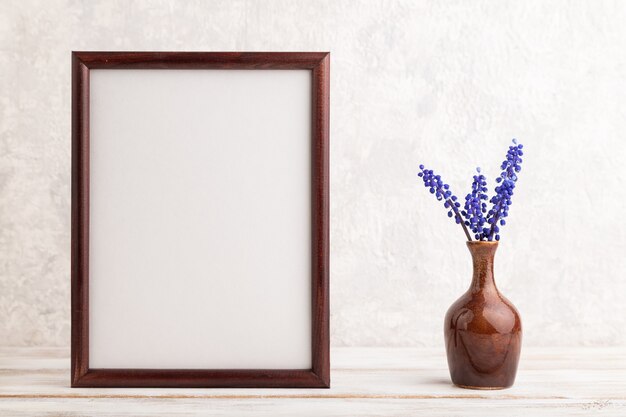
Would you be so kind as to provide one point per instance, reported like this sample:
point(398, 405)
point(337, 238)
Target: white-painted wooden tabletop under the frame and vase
point(365, 382)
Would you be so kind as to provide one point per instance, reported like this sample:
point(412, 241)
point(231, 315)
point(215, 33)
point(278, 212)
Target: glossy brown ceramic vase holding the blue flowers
point(483, 330)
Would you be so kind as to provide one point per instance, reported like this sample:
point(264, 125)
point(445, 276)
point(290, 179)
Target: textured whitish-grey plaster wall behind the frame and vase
point(447, 83)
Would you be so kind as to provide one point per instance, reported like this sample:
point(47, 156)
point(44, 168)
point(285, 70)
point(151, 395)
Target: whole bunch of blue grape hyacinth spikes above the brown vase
point(485, 225)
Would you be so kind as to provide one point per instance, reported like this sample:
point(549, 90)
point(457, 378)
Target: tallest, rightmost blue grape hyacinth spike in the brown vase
point(501, 201)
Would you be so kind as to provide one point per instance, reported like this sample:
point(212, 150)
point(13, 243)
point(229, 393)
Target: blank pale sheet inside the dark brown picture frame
point(200, 219)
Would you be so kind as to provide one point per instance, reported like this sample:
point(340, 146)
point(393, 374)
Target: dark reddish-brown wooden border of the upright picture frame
point(84, 376)
